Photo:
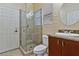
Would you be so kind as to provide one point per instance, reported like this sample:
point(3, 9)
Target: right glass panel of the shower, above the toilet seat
point(38, 26)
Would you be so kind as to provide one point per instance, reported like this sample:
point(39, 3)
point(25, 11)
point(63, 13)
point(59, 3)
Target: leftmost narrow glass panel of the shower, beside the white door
point(23, 28)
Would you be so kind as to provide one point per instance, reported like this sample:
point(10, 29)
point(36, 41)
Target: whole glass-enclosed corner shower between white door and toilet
point(30, 29)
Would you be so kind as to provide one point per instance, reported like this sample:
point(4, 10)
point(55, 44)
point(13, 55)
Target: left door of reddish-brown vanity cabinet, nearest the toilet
point(54, 46)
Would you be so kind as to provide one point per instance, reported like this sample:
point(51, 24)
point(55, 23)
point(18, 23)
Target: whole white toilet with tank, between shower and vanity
point(40, 50)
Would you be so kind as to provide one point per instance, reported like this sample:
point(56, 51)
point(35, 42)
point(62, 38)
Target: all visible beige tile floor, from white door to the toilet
point(16, 52)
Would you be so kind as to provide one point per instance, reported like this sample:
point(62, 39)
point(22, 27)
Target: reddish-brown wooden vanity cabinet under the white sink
point(63, 47)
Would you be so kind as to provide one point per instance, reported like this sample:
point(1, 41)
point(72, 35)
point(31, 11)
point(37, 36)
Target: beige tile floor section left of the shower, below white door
point(15, 52)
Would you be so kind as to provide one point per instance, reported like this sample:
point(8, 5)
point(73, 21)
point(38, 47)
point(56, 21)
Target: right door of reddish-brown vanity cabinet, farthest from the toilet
point(70, 48)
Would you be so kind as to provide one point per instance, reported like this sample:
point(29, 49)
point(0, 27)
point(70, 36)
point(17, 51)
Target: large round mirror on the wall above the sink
point(69, 13)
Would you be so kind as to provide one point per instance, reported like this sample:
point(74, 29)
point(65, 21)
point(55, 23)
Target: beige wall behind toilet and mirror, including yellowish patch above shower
point(56, 22)
